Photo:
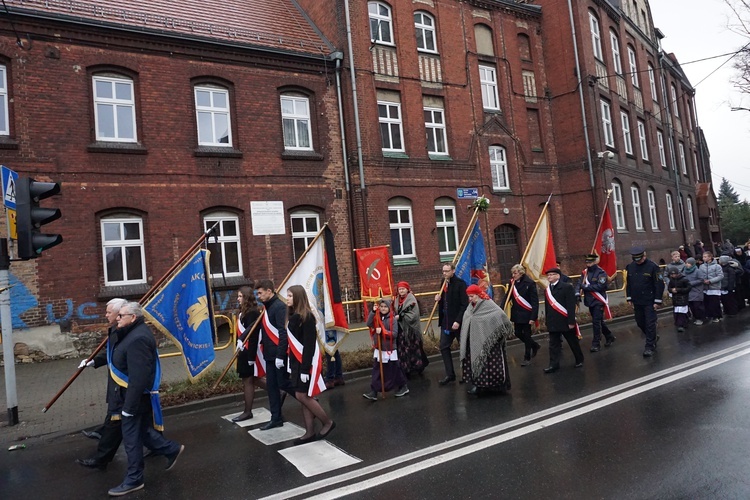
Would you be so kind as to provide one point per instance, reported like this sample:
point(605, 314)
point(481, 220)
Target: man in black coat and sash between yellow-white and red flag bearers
point(560, 316)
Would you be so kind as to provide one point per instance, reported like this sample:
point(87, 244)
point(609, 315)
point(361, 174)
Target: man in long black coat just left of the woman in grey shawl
point(452, 302)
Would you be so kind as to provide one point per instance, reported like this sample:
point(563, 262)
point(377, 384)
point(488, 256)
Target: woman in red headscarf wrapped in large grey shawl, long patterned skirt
point(483, 332)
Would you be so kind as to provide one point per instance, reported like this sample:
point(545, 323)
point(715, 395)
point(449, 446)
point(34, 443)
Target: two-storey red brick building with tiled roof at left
point(158, 123)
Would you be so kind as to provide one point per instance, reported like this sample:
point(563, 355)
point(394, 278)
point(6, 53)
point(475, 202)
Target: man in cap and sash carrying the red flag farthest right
point(593, 286)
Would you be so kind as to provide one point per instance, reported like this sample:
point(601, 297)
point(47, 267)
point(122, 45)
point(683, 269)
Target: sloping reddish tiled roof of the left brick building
point(278, 25)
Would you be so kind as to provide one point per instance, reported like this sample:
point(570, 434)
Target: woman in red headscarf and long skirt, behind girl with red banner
point(411, 353)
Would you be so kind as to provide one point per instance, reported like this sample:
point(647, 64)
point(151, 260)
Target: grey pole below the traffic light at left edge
point(11, 397)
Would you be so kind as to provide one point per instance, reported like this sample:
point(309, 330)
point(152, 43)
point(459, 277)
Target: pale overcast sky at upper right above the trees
point(697, 29)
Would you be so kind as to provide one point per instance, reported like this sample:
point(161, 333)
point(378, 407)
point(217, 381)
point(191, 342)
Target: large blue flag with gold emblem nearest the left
point(182, 310)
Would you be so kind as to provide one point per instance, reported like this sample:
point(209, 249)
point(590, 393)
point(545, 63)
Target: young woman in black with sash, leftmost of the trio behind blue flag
point(247, 344)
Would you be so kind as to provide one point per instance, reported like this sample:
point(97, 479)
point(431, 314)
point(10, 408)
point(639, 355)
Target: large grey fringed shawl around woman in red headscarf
point(484, 326)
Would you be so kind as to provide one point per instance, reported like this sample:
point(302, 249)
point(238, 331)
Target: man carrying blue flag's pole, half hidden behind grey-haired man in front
point(110, 434)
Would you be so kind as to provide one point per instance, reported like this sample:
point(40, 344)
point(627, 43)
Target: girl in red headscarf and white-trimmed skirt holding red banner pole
point(384, 334)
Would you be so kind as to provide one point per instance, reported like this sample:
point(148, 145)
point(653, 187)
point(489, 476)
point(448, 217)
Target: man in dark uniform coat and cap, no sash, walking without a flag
point(644, 287)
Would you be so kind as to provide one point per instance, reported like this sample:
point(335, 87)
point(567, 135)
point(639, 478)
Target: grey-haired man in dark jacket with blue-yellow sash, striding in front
point(134, 366)
